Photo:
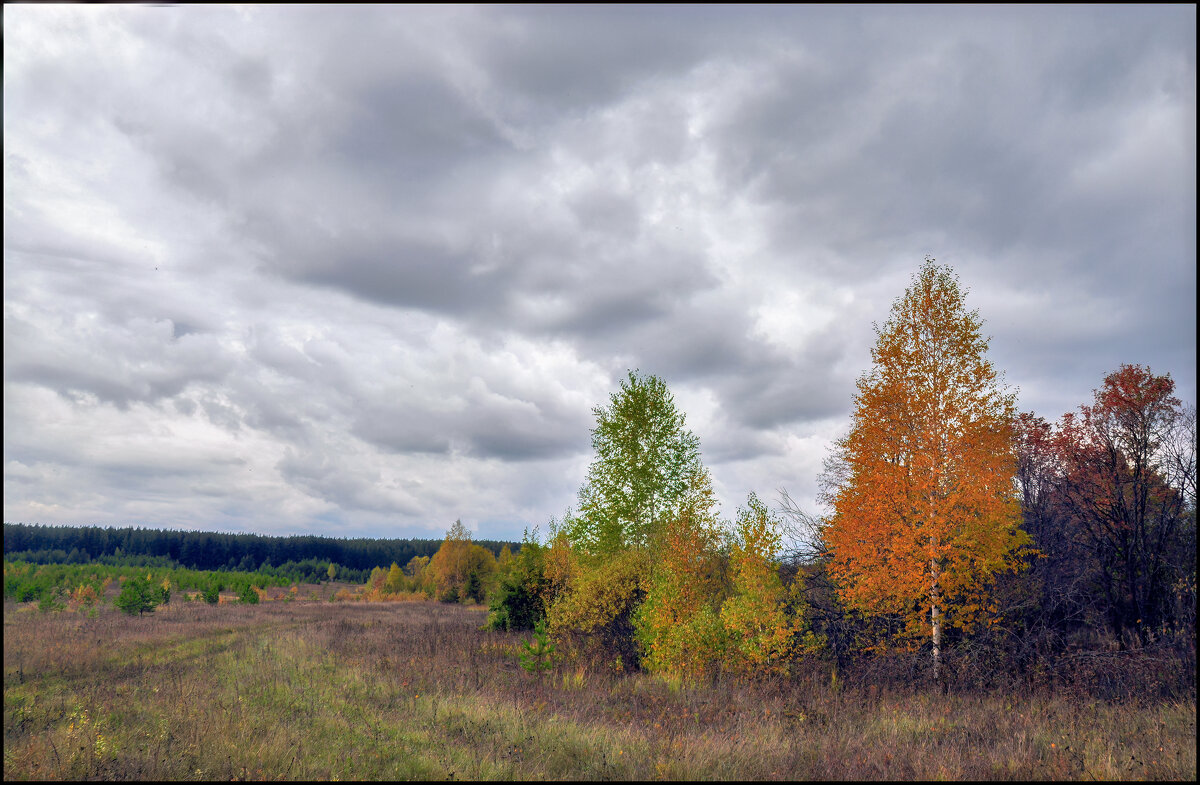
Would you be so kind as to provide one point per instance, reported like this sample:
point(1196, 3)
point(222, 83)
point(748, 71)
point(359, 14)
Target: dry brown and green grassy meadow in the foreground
point(309, 691)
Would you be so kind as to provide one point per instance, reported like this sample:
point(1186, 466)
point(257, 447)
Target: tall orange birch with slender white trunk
point(927, 511)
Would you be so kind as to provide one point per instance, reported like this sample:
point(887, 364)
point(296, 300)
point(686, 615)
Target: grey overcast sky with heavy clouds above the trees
point(362, 272)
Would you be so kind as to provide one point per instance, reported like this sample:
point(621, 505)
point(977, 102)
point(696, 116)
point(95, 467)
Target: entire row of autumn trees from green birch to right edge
point(955, 520)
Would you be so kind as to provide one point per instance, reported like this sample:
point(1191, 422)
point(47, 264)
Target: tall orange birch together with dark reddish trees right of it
point(957, 519)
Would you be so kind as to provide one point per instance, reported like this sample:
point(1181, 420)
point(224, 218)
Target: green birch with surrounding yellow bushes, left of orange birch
point(646, 574)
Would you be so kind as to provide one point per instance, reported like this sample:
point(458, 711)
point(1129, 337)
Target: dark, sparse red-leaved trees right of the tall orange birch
point(1109, 500)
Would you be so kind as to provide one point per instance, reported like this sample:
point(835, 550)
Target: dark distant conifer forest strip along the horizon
point(212, 550)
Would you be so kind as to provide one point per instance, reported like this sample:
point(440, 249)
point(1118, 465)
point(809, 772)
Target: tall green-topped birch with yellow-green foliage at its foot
point(647, 477)
